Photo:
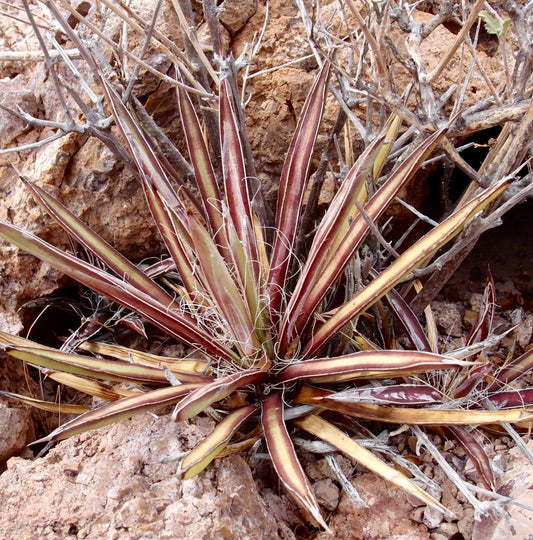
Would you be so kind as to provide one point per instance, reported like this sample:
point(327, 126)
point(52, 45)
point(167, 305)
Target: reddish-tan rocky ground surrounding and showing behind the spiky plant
point(118, 482)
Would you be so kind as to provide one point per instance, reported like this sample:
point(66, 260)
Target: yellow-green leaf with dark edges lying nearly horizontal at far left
point(111, 370)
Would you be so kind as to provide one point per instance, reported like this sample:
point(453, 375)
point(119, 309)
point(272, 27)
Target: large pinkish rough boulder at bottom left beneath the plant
point(112, 483)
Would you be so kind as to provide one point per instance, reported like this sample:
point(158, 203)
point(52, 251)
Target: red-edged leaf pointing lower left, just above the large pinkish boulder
point(120, 410)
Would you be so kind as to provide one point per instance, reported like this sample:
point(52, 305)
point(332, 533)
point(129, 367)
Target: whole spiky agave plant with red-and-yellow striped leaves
point(277, 334)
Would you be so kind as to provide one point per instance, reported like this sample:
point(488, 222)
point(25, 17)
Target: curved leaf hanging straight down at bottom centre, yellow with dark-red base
point(284, 456)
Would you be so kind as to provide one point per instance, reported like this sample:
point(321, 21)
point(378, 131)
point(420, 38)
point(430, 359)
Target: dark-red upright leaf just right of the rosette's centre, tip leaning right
point(292, 186)
